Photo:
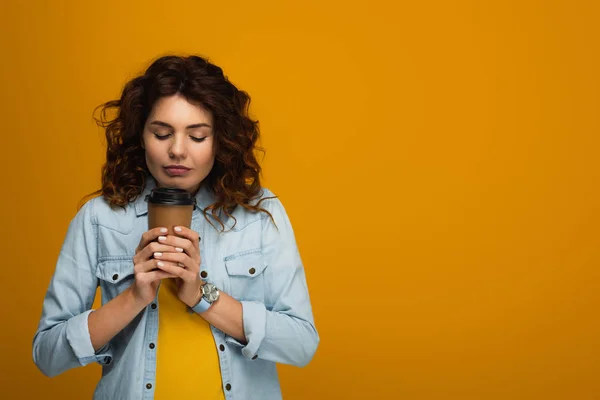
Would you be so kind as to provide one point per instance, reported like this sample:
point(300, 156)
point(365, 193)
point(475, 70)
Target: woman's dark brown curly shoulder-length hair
point(235, 177)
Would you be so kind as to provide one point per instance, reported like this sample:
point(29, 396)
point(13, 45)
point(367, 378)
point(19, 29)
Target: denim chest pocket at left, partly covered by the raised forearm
point(114, 276)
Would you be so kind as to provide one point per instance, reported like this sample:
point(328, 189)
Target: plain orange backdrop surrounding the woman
point(438, 159)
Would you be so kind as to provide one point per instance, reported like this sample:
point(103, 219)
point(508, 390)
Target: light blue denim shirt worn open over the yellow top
point(98, 251)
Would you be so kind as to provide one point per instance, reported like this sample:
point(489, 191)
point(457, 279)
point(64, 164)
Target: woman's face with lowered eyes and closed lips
point(179, 143)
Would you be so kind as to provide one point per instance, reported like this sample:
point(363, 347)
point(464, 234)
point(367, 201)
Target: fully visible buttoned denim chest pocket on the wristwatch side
point(246, 275)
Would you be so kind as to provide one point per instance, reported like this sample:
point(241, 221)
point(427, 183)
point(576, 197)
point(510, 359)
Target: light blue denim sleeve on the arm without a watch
point(62, 340)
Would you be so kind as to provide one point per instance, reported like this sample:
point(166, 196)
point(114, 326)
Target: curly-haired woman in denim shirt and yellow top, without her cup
point(159, 333)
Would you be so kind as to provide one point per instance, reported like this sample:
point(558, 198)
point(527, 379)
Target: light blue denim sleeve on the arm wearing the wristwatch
point(284, 333)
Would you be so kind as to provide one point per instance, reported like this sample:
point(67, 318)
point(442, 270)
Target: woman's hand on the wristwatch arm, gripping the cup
point(184, 263)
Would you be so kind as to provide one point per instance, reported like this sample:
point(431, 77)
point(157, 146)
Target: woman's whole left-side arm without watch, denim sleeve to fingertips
point(70, 334)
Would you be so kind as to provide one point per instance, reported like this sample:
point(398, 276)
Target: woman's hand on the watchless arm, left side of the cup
point(147, 276)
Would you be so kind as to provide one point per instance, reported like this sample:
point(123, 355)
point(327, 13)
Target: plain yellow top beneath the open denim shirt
point(187, 363)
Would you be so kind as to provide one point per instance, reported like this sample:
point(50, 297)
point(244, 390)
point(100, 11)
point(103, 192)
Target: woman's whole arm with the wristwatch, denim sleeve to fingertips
point(283, 333)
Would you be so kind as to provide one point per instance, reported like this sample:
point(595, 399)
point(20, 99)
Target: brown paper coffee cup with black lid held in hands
point(170, 207)
